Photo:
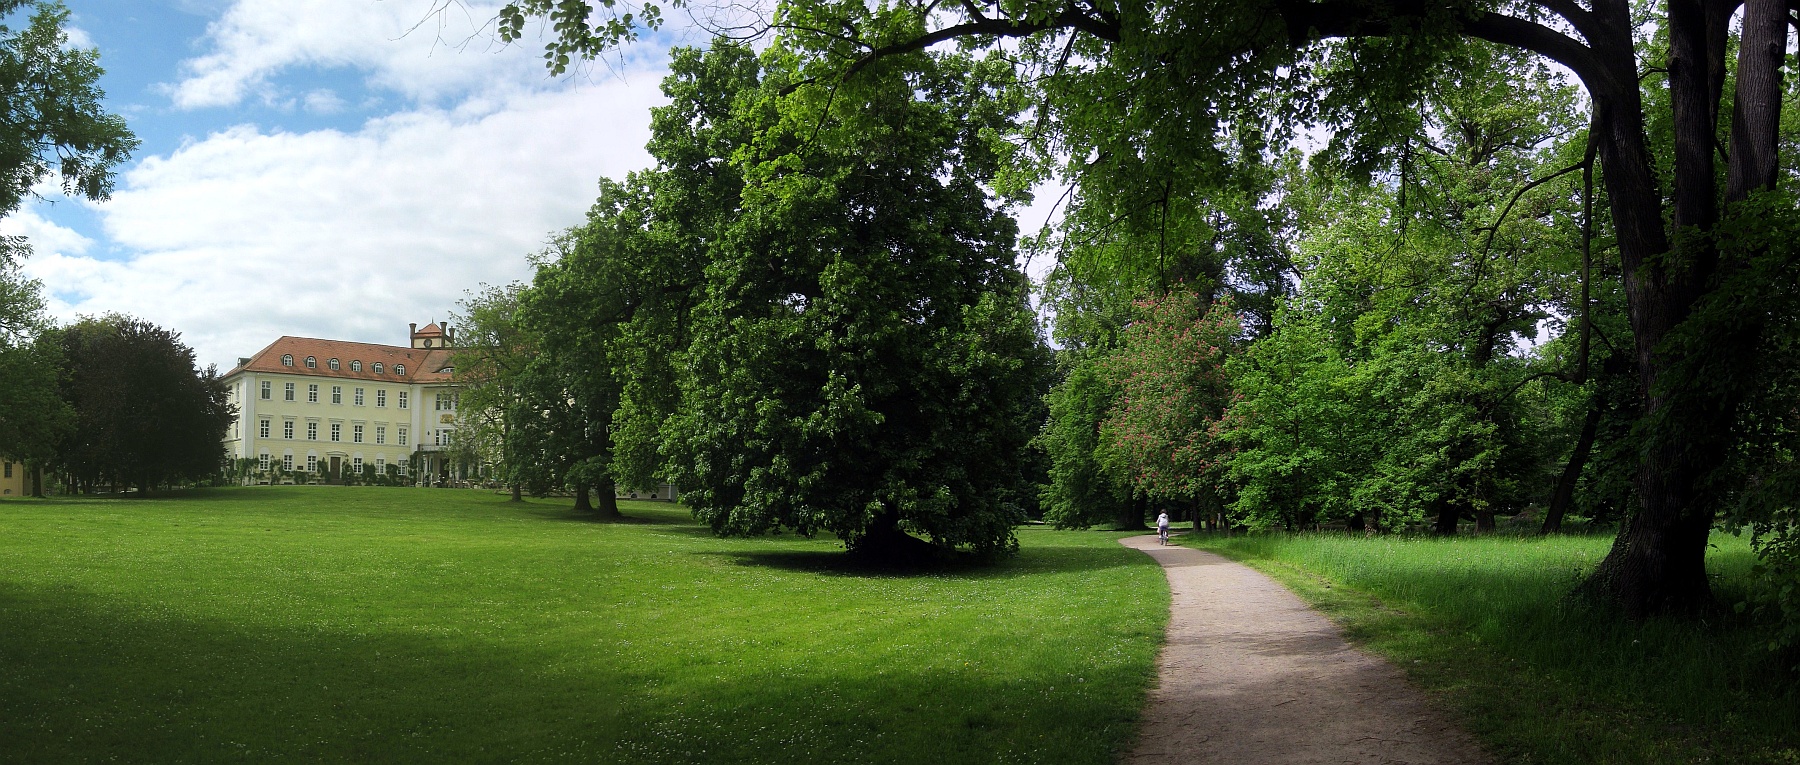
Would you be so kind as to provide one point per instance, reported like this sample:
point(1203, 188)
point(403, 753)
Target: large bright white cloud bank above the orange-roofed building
point(247, 235)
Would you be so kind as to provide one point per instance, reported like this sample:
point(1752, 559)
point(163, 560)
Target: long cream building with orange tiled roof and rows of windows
point(332, 408)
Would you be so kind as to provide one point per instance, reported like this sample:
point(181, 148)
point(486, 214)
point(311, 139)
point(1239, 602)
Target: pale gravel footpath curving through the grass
point(1254, 676)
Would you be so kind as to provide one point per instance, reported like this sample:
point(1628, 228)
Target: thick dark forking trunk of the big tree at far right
point(1657, 562)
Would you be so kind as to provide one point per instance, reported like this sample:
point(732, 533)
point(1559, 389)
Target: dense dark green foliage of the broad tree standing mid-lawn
point(863, 359)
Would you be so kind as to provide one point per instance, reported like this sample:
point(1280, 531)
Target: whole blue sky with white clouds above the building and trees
point(330, 168)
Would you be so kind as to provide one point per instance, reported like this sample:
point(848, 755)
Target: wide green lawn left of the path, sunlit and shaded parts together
point(431, 625)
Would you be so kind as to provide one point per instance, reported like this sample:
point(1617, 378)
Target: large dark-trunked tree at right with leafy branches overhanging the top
point(1182, 87)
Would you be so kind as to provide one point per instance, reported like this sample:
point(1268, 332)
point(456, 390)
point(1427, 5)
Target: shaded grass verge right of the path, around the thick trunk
point(1482, 622)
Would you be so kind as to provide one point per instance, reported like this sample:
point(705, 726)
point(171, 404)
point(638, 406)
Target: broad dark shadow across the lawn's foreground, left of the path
point(89, 679)
